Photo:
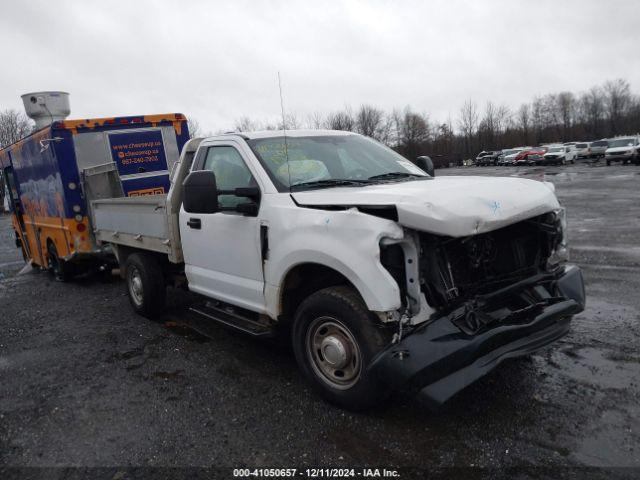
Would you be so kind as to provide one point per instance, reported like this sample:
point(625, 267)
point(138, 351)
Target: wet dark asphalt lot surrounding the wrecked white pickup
point(85, 382)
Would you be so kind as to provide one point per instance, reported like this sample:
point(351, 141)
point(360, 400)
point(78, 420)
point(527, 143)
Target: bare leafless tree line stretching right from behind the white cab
point(603, 111)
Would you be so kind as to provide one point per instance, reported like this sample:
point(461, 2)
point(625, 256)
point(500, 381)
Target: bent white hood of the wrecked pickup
point(452, 206)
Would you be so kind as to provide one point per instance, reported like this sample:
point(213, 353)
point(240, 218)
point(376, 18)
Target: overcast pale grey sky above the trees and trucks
point(218, 61)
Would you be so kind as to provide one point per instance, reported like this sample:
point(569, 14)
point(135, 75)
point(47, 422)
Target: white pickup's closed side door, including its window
point(221, 250)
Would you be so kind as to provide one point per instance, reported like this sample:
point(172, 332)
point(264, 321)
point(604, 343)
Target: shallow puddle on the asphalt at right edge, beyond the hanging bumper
point(600, 368)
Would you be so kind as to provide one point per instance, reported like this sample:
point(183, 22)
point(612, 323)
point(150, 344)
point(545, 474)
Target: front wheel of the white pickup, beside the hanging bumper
point(335, 338)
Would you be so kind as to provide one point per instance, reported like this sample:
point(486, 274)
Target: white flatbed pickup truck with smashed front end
point(384, 276)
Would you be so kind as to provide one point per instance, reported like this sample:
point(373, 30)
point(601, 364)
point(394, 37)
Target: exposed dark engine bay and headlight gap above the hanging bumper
point(481, 279)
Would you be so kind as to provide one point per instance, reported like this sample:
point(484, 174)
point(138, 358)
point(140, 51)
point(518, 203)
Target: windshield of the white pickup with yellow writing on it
point(326, 161)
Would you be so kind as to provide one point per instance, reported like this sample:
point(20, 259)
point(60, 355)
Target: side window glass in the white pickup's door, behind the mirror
point(231, 172)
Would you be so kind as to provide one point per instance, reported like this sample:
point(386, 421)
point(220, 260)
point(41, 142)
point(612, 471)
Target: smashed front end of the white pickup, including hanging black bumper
point(494, 295)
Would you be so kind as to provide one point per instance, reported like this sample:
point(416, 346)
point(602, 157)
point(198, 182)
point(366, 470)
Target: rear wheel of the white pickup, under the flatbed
point(145, 284)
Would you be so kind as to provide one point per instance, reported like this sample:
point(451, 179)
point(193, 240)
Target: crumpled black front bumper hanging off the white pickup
point(442, 357)
